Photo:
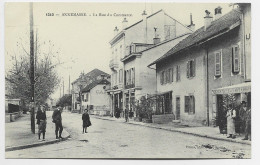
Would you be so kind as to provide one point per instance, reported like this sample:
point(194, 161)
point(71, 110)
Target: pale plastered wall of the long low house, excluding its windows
point(186, 86)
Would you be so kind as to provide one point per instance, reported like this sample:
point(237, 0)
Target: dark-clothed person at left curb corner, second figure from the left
point(56, 118)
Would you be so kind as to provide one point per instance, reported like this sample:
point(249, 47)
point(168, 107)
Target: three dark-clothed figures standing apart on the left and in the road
point(57, 119)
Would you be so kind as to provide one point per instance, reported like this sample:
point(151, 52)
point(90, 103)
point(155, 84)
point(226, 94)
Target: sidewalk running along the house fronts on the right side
point(207, 132)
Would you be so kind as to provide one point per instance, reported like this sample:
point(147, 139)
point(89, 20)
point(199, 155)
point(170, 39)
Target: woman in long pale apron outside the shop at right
point(231, 114)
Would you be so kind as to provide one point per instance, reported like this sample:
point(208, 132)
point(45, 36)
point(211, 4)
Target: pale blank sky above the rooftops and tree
point(83, 42)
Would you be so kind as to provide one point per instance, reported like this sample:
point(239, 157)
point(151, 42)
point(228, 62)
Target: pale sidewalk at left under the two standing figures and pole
point(18, 134)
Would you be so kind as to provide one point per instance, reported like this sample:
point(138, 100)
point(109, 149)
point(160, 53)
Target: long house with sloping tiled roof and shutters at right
point(213, 61)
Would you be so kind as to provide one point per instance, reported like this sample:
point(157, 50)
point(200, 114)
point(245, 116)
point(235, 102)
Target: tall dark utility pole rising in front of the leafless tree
point(32, 104)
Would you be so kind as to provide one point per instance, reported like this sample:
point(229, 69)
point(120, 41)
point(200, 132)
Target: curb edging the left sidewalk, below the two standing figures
point(35, 144)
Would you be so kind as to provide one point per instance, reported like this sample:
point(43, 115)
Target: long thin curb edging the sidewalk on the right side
point(184, 132)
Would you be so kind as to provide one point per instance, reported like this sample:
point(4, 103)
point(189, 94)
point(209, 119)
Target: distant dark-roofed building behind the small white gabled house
point(79, 84)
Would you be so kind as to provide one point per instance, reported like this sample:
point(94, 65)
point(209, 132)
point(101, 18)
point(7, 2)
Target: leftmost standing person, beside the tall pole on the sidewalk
point(41, 121)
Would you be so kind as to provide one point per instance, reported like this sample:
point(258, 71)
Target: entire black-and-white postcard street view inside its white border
point(128, 80)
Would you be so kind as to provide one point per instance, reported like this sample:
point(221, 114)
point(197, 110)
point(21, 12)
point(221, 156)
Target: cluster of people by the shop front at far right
point(243, 117)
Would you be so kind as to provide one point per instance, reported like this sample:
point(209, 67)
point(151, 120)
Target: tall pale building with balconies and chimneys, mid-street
point(133, 49)
